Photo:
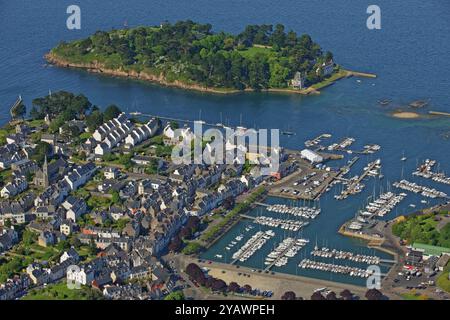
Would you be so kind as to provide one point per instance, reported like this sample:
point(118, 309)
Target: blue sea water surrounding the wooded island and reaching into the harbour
point(409, 55)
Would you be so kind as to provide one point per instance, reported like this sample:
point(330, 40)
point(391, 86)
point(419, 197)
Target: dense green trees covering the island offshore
point(261, 57)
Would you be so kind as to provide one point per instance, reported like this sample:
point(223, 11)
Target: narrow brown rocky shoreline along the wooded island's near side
point(53, 59)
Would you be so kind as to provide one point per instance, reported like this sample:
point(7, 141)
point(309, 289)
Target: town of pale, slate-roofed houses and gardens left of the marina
point(98, 191)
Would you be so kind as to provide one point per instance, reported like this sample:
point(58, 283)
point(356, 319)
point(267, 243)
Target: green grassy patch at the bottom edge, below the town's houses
point(60, 291)
